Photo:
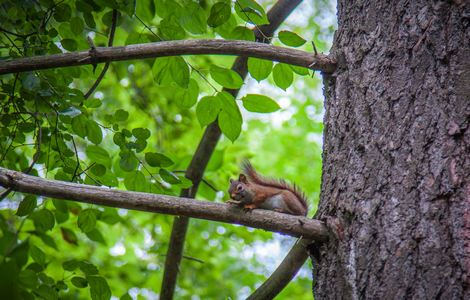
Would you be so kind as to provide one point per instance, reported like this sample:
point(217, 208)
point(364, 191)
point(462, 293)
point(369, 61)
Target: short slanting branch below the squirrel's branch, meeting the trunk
point(284, 273)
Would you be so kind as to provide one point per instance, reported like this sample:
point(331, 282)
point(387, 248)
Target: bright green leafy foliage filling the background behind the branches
point(137, 132)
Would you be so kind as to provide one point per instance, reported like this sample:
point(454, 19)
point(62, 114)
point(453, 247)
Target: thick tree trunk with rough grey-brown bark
point(396, 179)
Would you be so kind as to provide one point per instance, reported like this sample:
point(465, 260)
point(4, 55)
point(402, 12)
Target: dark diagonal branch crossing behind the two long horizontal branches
point(276, 15)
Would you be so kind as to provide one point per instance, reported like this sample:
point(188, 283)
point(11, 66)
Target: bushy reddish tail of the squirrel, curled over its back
point(280, 184)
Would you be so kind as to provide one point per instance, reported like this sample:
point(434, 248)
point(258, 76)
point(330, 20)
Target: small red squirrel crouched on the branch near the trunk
point(255, 191)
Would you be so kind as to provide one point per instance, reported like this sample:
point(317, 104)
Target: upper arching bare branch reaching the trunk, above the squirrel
point(170, 48)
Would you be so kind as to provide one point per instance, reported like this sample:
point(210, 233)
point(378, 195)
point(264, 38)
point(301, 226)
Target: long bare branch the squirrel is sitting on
point(267, 220)
